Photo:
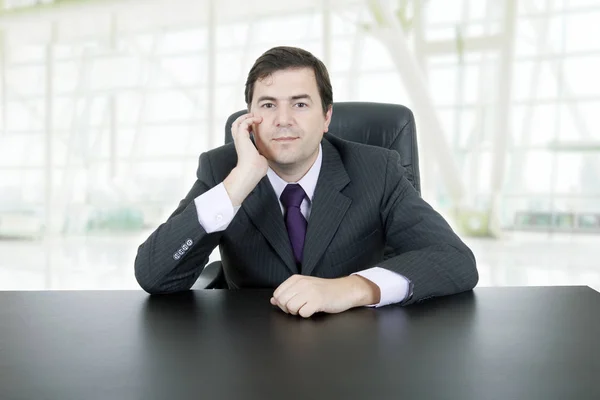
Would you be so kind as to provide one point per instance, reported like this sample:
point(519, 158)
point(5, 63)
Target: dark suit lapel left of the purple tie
point(262, 206)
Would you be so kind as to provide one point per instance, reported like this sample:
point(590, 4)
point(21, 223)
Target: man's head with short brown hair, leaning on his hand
point(290, 89)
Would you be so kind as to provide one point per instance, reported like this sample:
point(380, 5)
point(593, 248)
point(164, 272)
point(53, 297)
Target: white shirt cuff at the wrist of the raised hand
point(214, 209)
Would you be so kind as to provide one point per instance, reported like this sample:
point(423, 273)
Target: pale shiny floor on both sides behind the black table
point(85, 263)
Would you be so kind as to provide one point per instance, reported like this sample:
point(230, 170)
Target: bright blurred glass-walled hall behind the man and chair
point(105, 107)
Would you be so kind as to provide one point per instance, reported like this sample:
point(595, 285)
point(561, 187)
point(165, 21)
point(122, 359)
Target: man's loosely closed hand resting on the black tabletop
point(306, 295)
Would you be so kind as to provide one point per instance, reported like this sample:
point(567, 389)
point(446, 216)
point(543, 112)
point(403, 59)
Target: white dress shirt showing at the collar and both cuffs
point(215, 213)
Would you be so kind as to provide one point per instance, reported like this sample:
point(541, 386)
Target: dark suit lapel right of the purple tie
point(327, 209)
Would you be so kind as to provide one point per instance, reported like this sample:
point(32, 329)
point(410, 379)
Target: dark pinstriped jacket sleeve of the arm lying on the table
point(427, 251)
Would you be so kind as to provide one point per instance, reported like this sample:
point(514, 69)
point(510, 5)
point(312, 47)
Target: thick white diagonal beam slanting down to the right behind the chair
point(391, 34)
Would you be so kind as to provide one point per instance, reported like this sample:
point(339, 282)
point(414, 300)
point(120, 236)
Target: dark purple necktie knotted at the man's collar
point(291, 198)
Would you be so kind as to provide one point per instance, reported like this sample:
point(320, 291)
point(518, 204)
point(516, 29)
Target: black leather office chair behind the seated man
point(385, 125)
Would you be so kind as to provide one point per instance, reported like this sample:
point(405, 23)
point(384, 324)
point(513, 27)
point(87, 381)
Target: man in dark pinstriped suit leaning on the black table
point(302, 212)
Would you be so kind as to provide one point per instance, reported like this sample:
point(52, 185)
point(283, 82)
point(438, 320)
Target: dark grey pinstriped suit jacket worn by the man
point(362, 202)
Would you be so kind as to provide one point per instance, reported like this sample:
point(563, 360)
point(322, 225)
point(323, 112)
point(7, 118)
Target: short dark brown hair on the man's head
point(280, 58)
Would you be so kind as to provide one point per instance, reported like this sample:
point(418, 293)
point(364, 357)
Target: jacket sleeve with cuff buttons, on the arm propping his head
point(174, 255)
